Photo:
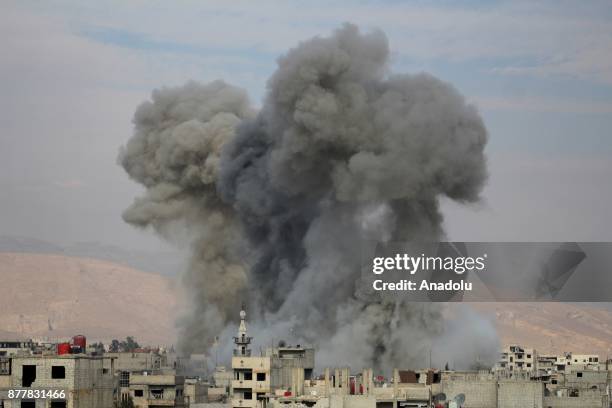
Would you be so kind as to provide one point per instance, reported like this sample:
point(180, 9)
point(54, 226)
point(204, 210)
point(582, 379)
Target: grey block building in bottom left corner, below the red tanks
point(84, 381)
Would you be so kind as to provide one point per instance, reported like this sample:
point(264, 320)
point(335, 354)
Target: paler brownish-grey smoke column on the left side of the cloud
point(175, 153)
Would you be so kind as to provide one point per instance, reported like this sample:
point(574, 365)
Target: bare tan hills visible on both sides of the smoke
point(57, 296)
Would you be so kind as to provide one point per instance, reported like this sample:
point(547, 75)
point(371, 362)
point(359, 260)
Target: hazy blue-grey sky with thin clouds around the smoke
point(72, 73)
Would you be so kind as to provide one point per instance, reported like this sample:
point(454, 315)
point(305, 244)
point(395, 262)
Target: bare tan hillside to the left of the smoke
point(57, 296)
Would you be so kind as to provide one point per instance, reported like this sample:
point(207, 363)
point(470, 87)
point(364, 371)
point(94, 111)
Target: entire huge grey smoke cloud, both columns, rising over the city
point(280, 201)
